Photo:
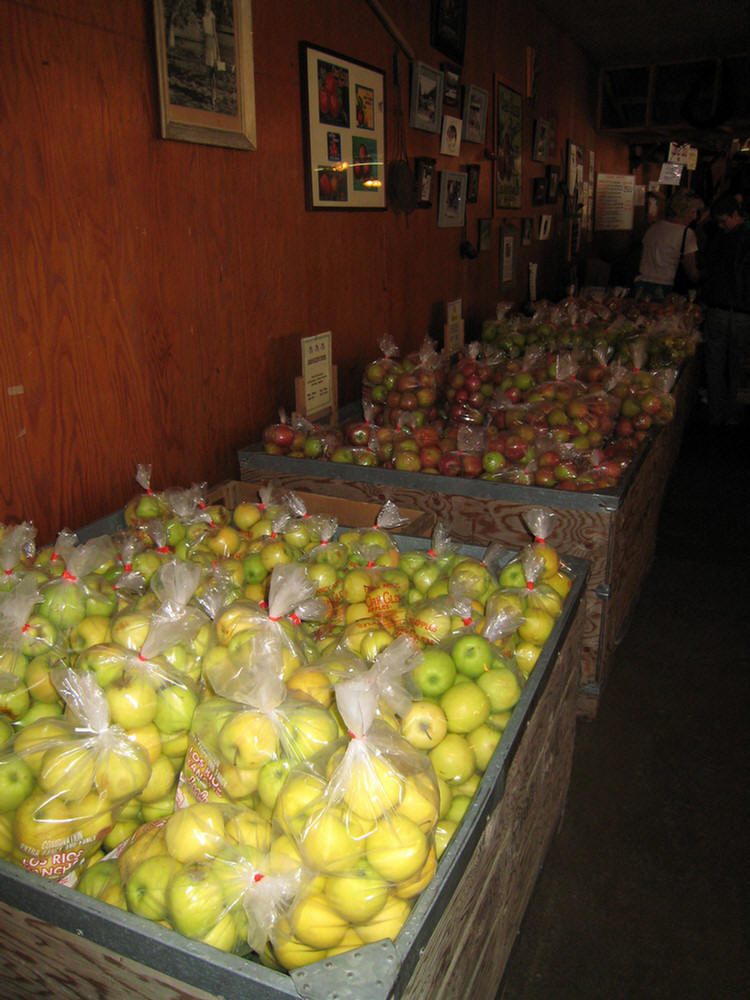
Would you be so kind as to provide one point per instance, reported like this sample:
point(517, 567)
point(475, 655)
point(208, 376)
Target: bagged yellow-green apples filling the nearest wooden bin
point(253, 726)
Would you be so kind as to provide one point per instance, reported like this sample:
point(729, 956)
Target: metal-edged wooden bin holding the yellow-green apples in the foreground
point(456, 941)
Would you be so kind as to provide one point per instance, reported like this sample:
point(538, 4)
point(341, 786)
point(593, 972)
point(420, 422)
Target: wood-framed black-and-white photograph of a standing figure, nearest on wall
point(204, 60)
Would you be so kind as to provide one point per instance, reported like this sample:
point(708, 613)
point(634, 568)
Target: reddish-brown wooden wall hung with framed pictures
point(153, 293)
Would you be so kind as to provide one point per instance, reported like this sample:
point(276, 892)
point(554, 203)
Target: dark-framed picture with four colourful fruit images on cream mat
point(343, 128)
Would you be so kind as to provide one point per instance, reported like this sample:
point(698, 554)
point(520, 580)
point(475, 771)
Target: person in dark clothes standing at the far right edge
point(726, 295)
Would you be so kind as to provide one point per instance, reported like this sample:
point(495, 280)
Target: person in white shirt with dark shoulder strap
point(667, 245)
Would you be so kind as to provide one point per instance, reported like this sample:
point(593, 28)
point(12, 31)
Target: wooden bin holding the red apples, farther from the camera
point(615, 529)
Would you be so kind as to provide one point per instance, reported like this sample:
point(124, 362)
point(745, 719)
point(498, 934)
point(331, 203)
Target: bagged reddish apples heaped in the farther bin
point(562, 400)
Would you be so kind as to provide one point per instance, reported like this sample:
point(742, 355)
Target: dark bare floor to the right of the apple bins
point(645, 890)
